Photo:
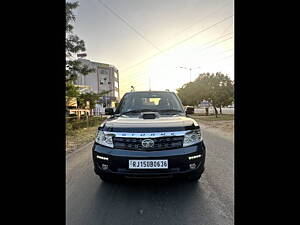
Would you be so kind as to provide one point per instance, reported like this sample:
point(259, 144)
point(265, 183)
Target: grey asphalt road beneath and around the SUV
point(90, 201)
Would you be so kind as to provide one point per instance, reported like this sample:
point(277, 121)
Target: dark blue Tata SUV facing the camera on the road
point(149, 135)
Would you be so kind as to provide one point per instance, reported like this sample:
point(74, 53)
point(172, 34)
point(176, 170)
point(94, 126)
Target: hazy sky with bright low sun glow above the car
point(149, 40)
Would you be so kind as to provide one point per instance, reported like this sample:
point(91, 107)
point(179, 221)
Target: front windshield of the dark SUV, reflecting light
point(136, 102)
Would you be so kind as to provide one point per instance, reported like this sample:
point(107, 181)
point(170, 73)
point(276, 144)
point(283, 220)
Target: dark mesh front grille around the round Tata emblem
point(159, 143)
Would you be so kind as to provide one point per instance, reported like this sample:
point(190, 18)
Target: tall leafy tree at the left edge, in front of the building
point(74, 45)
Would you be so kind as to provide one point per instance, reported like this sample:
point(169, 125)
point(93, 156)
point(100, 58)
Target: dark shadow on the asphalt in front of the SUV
point(151, 202)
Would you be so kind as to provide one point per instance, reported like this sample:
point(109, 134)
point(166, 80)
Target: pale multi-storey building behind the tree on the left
point(104, 78)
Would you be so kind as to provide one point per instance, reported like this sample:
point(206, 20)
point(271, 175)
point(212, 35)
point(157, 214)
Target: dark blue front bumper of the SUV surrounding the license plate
point(178, 161)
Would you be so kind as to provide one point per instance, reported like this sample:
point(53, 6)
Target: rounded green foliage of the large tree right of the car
point(217, 88)
